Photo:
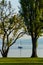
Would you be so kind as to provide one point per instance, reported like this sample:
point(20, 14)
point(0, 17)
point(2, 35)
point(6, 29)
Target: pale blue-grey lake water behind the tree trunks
point(26, 49)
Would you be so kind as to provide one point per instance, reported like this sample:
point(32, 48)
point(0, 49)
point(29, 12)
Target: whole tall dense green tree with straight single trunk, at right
point(31, 10)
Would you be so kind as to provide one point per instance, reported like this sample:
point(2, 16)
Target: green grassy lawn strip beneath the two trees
point(20, 61)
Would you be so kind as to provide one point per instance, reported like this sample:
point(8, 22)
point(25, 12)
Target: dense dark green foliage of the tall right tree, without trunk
point(32, 14)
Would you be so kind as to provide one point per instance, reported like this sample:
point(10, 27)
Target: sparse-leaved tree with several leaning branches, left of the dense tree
point(10, 26)
